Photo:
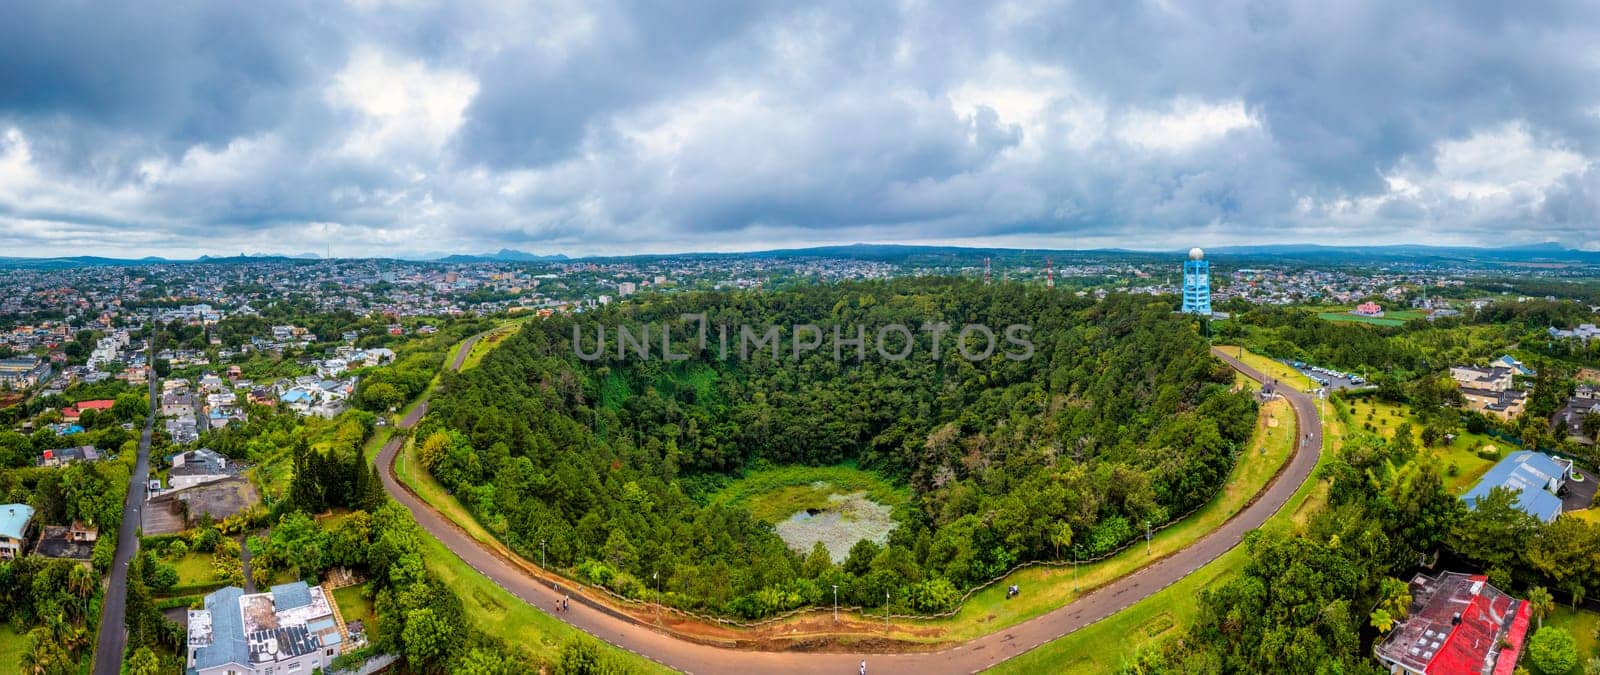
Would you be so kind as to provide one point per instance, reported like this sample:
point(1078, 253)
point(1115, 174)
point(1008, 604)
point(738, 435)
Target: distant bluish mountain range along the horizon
point(934, 255)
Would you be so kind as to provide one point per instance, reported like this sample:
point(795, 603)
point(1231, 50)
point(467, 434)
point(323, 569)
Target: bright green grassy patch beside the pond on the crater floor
point(774, 495)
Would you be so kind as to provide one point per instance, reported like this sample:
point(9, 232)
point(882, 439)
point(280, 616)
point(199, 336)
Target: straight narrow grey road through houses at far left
point(114, 634)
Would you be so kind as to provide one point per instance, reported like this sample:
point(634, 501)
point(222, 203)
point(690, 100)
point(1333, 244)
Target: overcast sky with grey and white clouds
point(599, 127)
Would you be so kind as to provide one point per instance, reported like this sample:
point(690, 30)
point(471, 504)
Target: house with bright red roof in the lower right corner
point(1457, 625)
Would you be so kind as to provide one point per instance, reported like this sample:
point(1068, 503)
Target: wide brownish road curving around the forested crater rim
point(966, 658)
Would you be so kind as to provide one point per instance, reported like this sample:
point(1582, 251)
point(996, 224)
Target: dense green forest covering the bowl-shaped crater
point(1119, 418)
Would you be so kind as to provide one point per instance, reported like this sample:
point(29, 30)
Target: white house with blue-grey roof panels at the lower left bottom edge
point(286, 631)
